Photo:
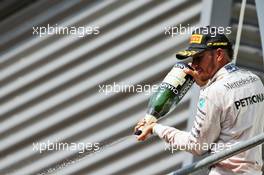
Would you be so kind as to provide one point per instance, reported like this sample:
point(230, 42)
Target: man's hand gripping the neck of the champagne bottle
point(147, 129)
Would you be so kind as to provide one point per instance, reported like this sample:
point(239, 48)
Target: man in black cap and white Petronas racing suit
point(230, 109)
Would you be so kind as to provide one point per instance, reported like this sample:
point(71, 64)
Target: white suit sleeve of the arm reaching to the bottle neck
point(205, 130)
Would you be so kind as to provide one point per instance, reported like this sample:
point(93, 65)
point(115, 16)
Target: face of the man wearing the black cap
point(205, 64)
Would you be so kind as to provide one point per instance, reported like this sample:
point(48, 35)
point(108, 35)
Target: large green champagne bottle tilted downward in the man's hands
point(170, 92)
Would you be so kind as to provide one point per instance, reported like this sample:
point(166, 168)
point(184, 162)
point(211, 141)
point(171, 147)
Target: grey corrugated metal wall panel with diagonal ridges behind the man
point(50, 85)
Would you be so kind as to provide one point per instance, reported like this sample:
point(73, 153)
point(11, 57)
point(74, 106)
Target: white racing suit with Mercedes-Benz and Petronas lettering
point(230, 110)
